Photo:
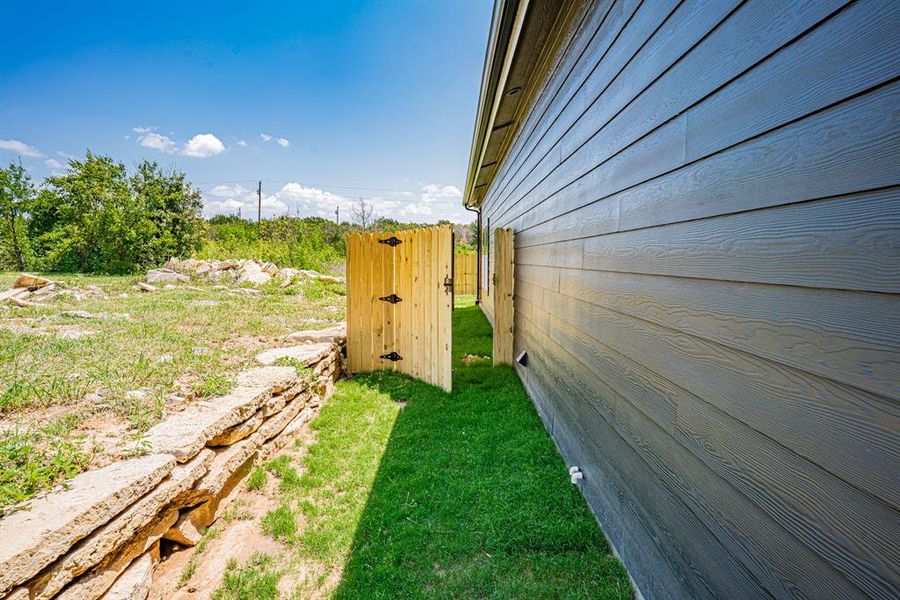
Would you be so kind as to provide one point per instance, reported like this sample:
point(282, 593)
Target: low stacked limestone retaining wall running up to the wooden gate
point(99, 537)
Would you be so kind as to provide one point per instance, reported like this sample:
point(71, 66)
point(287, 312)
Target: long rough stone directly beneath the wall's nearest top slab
point(91, 551)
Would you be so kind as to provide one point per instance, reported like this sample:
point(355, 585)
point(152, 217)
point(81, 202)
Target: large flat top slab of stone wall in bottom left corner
point(37, 535)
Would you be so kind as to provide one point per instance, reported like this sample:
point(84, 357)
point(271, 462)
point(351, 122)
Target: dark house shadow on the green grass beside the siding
point(471, 499)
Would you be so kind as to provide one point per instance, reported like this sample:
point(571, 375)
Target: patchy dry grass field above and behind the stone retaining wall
point(137, 357)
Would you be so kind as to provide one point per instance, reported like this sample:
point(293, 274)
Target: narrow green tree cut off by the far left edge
point(16, 196)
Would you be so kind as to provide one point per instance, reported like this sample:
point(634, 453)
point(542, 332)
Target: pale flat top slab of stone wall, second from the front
point(184, 434)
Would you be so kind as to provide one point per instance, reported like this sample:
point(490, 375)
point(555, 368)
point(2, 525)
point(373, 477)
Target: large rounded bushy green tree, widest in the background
point(97, 218)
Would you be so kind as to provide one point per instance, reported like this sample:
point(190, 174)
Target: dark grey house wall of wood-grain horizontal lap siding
point(706, 207)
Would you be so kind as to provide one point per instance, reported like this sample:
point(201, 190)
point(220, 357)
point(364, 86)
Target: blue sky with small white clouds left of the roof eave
point(323, 101)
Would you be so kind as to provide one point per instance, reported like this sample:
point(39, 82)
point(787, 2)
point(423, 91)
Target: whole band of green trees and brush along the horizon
point(98, 218)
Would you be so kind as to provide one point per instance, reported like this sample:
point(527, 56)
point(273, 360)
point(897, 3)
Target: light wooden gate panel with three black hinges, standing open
point(399, 303)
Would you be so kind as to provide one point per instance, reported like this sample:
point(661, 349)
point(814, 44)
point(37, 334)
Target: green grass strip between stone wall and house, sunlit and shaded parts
point(411, 492)
